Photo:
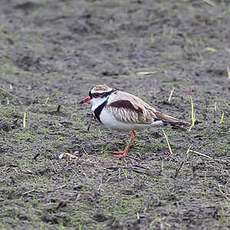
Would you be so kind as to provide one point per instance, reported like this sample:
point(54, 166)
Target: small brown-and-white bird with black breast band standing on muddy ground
point(123, 111)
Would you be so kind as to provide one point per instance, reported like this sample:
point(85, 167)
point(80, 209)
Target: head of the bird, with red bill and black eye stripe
point(98, 95)
